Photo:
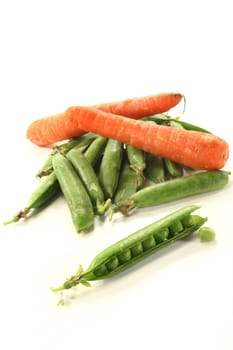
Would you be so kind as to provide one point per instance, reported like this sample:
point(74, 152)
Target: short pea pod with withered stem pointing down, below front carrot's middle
point(137, 162)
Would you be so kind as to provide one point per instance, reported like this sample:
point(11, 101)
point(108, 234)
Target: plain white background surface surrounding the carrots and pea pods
point(54, 54)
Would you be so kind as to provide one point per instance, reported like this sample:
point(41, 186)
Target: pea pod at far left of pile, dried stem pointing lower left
point(46, 191)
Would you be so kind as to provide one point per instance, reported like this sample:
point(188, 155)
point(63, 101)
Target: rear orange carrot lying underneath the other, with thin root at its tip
point(135, 108)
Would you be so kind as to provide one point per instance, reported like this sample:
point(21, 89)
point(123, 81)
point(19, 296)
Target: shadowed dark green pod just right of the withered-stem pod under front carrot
point(155, 170)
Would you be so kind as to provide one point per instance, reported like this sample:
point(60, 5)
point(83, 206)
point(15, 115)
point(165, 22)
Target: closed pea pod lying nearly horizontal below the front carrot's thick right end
point(175, 189)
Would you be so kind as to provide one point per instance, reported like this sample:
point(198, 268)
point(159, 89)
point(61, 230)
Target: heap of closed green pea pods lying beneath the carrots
point(100, 176)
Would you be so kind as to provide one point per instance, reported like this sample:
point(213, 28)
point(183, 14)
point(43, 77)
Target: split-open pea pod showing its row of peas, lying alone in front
point(132, 249)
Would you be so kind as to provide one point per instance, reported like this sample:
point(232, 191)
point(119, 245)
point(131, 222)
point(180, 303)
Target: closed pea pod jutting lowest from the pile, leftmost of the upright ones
point(76, 196)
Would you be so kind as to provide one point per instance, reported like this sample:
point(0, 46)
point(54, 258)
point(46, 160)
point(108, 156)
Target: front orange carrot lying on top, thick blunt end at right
point(191, 148)
